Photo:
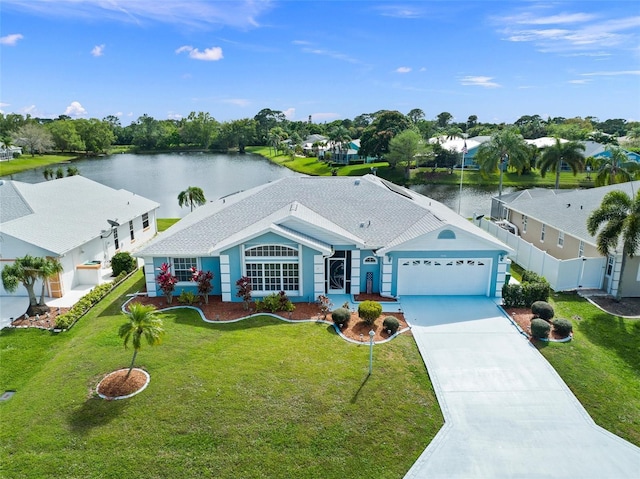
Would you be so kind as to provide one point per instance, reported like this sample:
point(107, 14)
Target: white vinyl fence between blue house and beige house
point(562, 274)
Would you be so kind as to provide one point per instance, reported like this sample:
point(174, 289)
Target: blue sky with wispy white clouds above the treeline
point(498, 60)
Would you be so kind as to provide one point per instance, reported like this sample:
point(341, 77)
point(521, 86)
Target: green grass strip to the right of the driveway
point(601, 364)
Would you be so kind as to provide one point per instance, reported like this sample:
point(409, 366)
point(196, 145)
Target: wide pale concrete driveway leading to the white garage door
point(507, 412)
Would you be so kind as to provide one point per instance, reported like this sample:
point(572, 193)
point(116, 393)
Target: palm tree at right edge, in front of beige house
point(619, 216)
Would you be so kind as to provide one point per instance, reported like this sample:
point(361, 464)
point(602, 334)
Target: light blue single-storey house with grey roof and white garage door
point(309, 236)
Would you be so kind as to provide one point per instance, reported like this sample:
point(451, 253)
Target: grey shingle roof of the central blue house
point(366, 211)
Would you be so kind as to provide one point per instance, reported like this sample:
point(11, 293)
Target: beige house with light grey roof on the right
point(556, 223)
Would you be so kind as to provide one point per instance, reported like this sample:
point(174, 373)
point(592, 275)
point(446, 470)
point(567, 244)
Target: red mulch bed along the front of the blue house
point(217, 310)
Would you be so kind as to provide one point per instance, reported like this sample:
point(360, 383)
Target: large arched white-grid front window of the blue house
point(273, 268)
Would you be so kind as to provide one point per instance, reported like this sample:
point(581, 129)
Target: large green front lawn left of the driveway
point(257, 398)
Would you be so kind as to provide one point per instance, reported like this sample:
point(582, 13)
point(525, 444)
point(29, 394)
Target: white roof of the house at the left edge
point(62, 214)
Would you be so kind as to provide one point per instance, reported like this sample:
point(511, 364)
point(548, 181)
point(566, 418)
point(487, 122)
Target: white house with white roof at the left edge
point(76, 220)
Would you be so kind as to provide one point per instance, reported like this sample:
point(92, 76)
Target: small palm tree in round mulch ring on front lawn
point(142, 323)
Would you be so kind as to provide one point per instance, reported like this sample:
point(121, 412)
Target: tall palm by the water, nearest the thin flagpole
point(505, 149)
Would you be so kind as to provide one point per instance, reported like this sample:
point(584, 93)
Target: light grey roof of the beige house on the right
point(568, 210)
